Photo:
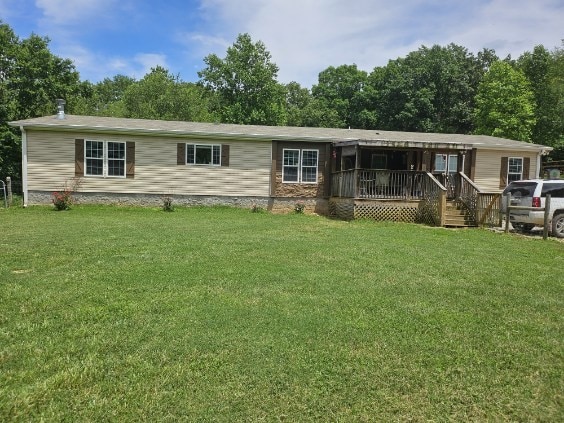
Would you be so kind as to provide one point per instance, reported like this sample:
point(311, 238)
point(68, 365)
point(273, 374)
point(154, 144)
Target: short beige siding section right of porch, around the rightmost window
point(488, 166)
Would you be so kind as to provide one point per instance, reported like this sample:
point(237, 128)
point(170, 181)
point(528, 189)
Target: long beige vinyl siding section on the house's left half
point(51, 164)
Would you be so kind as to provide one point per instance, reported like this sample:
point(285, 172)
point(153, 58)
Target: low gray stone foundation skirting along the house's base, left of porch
point(277, 205)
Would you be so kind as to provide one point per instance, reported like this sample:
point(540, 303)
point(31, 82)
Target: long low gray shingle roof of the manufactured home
point(228, 131)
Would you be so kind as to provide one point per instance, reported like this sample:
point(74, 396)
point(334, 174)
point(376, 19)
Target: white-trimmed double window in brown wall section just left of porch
point(300, 166)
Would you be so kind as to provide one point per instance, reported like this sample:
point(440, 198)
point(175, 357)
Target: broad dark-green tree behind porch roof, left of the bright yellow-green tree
point(430, 90)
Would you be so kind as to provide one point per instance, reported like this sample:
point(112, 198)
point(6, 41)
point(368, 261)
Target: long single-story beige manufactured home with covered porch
point(348, 173)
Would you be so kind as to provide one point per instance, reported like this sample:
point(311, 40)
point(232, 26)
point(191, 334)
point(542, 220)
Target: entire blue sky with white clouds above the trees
point(108, 37)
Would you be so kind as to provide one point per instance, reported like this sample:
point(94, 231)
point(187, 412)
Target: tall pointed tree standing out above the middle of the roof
point(245, 84)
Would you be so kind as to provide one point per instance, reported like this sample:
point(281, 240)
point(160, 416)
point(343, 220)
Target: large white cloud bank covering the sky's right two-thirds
point(306, 37)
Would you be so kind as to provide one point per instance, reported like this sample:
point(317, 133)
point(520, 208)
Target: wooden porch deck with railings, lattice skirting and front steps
point(412, 196)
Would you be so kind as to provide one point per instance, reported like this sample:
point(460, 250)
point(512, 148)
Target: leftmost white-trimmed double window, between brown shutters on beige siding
point(105, 158)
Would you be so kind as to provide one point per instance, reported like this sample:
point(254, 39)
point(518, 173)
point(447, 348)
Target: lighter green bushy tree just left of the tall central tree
point(160, 95)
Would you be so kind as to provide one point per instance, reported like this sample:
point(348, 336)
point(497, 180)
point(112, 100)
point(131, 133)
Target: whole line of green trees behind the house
point(434, 89)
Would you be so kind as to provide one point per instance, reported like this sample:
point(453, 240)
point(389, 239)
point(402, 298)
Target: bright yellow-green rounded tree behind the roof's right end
point(505, 104)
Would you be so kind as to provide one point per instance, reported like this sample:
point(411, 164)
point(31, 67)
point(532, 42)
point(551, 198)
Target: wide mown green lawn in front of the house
point(217, 314)
